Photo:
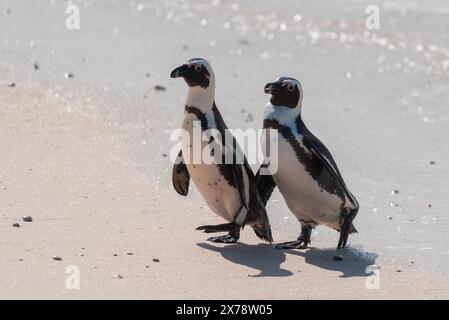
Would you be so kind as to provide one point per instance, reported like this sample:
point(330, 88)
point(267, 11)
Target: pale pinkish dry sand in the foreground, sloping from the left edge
point(88, 204)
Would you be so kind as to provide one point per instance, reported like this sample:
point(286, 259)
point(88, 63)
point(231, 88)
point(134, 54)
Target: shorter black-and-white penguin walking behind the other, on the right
point(306, 174)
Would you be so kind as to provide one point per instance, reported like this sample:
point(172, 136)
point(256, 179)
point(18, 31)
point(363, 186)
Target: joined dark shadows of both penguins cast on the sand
point(268, 260)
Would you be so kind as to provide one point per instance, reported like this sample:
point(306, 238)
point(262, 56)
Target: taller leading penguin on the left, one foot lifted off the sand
point(228, 187)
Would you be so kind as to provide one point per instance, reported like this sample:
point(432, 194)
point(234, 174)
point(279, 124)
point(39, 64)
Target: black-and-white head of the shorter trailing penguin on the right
point(285, 92)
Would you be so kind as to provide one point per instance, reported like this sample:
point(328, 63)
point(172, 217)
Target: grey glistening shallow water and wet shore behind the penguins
point(377, 98)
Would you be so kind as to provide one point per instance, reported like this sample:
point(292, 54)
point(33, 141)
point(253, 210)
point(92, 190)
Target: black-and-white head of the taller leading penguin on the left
point(197, 72)
